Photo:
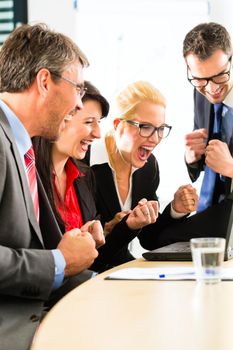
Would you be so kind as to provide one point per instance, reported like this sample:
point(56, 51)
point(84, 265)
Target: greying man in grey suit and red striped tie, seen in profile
point(41, 82)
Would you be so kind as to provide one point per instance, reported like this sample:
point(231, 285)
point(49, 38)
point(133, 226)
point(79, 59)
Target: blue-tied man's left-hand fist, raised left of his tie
point(195, 144)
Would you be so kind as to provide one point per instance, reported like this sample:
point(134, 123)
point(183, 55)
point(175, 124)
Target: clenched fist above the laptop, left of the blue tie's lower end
point(185, 199)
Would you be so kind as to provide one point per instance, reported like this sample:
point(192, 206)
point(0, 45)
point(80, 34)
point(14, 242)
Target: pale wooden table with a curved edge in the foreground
point(141, 315)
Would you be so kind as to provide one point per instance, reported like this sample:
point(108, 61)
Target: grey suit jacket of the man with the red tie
point(26, 267)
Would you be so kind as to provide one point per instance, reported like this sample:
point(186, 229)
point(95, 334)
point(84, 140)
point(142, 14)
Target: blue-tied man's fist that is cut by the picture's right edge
point(218, 158)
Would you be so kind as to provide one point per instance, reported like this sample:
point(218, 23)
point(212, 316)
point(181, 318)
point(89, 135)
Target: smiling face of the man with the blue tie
point(212, 66)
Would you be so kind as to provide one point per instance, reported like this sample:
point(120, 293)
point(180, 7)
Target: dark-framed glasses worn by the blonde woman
point(147, 130)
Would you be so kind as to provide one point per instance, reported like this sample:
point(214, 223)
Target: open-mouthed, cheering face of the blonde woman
point(133, 148)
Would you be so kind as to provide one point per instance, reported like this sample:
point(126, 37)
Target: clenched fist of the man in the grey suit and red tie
point(78, 249)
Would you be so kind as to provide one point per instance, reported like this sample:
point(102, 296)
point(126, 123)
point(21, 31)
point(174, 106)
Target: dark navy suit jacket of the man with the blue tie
point(204, 118)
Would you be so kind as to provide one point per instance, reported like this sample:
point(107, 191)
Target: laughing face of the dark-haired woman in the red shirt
point(80, 131)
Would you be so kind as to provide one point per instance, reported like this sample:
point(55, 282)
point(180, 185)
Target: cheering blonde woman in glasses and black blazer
point(131, 171)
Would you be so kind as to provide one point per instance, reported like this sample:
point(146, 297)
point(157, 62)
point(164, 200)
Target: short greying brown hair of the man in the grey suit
point(30, 48)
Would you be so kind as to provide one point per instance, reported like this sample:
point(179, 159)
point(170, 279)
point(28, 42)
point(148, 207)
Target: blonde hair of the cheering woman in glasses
point(127, 101)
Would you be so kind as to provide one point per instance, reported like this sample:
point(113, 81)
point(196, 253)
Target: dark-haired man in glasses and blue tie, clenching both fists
point(207, 51)
